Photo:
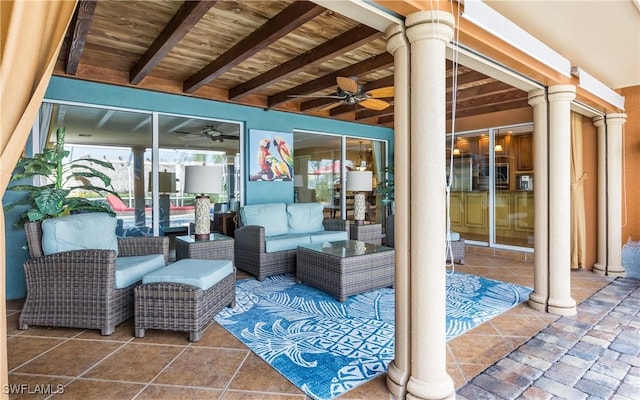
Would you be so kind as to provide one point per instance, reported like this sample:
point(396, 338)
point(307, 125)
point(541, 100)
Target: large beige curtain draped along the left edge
point(31, 34)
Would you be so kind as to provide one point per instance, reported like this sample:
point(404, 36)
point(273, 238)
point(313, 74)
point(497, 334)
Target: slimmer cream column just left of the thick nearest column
point(399, 369)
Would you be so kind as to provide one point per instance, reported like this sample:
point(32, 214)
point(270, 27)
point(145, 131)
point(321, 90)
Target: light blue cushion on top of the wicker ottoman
point(199, 273)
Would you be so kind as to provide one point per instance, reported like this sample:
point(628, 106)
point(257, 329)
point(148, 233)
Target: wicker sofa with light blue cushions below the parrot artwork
point(268, 235)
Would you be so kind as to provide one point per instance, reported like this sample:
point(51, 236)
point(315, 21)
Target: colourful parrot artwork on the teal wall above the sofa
point(270, 155)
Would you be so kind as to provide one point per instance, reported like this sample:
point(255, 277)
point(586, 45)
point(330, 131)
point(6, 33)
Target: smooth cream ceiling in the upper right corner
point(601, 37)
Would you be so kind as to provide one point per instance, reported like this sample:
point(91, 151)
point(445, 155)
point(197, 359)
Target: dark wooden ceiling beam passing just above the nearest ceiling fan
point(379, 61)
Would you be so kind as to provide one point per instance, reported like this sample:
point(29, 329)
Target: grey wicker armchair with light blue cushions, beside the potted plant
point(79, 288)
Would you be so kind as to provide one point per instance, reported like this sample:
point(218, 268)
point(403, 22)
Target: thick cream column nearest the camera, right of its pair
point(428, 32)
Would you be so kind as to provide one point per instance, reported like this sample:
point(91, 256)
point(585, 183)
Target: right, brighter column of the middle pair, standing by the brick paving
point(560, 300)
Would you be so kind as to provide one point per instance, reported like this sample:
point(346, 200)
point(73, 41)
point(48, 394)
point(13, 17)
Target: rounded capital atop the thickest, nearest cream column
point(430, 25)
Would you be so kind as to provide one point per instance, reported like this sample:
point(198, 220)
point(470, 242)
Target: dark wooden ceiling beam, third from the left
point(292, 17)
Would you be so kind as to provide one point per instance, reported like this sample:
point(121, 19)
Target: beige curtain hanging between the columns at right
point(578, 225)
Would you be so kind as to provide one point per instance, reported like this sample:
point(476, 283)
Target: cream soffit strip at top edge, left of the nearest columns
point(365, 13)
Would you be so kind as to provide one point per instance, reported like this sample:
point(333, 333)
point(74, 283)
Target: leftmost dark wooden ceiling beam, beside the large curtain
point(78, 31)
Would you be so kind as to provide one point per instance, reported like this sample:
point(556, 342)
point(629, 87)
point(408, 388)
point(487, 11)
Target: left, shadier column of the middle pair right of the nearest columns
point(538, 298)
